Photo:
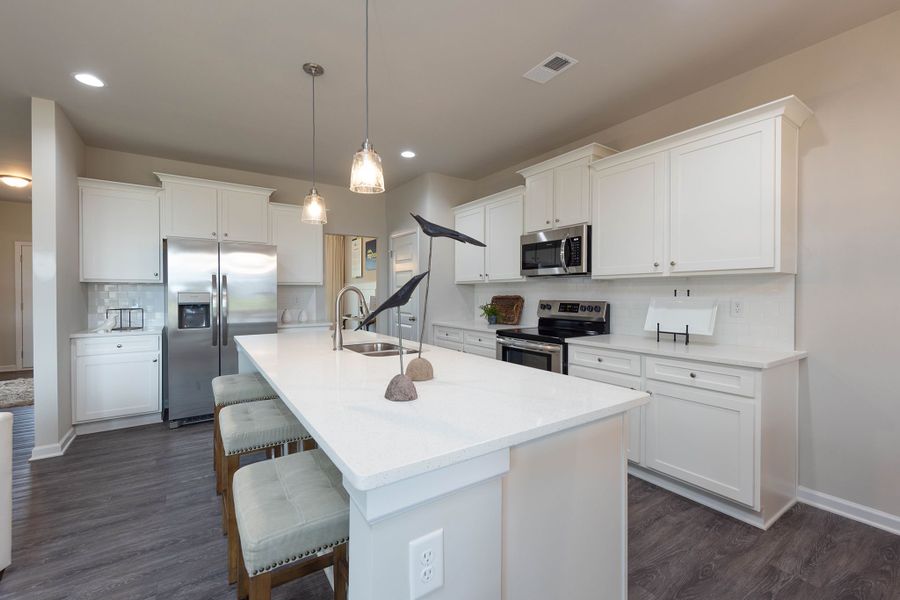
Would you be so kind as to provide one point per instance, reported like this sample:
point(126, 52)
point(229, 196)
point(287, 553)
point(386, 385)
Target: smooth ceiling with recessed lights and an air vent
point(219, 81)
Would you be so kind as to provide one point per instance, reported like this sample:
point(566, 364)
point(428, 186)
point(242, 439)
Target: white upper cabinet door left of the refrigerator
point(120, 238)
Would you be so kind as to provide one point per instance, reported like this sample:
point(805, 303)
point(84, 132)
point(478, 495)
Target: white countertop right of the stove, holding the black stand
point(741, 356)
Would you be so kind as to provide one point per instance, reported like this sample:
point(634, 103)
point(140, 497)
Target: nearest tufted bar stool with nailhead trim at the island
point(288, 511)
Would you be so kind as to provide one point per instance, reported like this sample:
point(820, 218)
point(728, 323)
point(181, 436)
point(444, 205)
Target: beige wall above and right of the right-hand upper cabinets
point(849, 244)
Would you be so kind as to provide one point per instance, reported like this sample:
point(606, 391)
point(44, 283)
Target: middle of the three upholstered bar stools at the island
point(247, 428)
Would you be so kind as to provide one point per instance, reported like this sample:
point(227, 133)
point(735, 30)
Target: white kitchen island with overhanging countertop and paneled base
point(522, 471)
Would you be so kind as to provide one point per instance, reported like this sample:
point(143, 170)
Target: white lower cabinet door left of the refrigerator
point(121, 385)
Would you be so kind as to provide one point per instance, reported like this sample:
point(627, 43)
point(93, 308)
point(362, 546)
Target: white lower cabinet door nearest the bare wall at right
point(704, 438)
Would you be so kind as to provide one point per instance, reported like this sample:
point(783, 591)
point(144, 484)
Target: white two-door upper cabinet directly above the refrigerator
point(213, 210)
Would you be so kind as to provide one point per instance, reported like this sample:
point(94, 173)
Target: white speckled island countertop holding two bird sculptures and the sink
point(472, 407)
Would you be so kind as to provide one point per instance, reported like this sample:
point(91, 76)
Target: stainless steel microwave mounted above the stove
point(563, 251)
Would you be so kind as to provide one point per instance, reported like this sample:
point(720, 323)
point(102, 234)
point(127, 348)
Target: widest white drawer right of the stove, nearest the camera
point(701, 375)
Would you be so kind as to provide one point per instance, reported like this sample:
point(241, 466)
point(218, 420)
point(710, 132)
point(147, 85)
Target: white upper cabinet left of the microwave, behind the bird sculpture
point(496, 220)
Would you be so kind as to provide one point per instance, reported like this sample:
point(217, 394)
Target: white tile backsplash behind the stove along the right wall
point(768, 303)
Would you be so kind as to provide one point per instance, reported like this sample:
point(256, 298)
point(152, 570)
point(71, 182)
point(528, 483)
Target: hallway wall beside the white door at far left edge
point(15, 226)
